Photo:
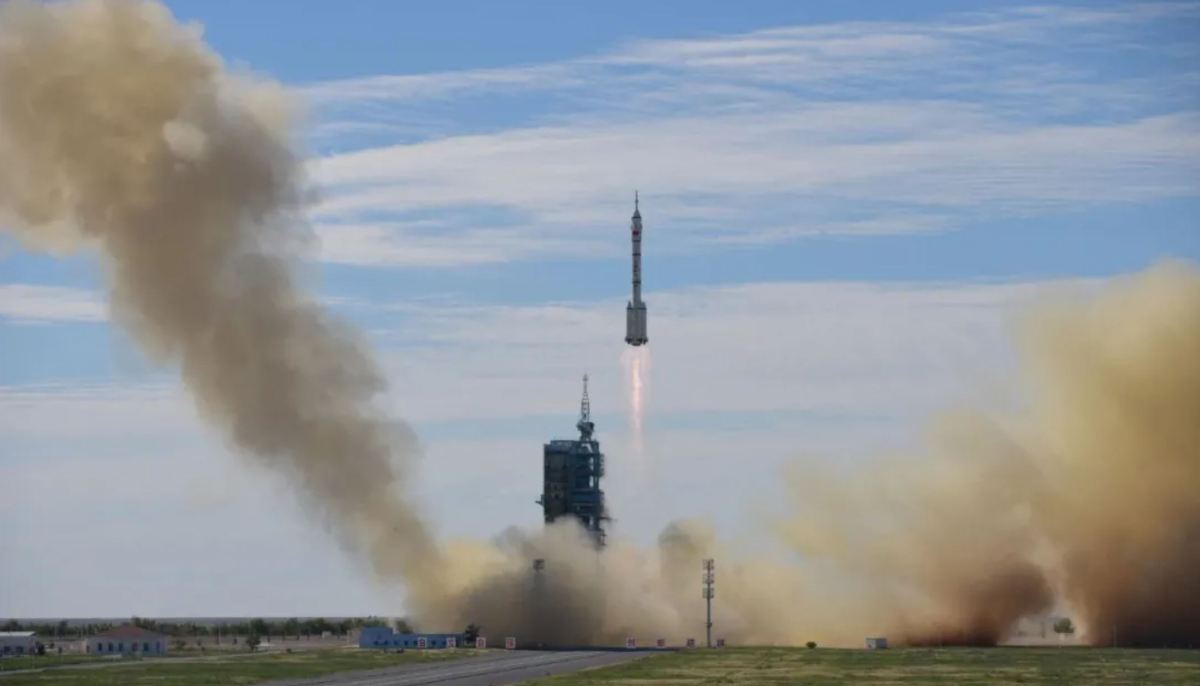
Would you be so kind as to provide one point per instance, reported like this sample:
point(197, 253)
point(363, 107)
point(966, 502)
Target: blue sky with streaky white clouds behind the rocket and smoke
point(847, 204)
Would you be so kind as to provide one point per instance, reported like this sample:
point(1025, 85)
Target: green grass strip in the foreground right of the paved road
point(767, 666)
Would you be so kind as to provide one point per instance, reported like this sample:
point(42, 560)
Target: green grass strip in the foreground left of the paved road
point(230, 670)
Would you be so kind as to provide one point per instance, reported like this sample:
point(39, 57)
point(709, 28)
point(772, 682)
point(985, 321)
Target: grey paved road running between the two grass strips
point(495, 670)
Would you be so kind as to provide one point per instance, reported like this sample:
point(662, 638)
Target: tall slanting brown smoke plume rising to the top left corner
point(121, 130)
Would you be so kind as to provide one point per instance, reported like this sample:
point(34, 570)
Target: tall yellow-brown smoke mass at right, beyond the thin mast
point(1087, 498)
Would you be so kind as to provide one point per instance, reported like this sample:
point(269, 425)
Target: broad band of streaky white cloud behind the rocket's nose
point(763, 137)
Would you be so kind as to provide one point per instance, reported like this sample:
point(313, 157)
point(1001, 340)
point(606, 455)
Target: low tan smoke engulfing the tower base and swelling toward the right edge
point(1083, 501)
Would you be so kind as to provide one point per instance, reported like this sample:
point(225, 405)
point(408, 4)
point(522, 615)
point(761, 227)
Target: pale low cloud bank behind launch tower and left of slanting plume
point(745, 378)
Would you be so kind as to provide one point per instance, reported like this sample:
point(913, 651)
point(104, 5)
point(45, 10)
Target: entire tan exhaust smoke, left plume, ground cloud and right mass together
point(121, 131)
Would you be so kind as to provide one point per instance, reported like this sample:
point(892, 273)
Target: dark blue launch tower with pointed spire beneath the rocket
point(572, 473)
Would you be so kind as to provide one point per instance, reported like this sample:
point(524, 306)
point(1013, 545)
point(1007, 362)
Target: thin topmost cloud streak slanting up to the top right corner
point(875, 53)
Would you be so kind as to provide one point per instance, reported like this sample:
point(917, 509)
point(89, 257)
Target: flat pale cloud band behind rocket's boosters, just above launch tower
point(829, 348)
